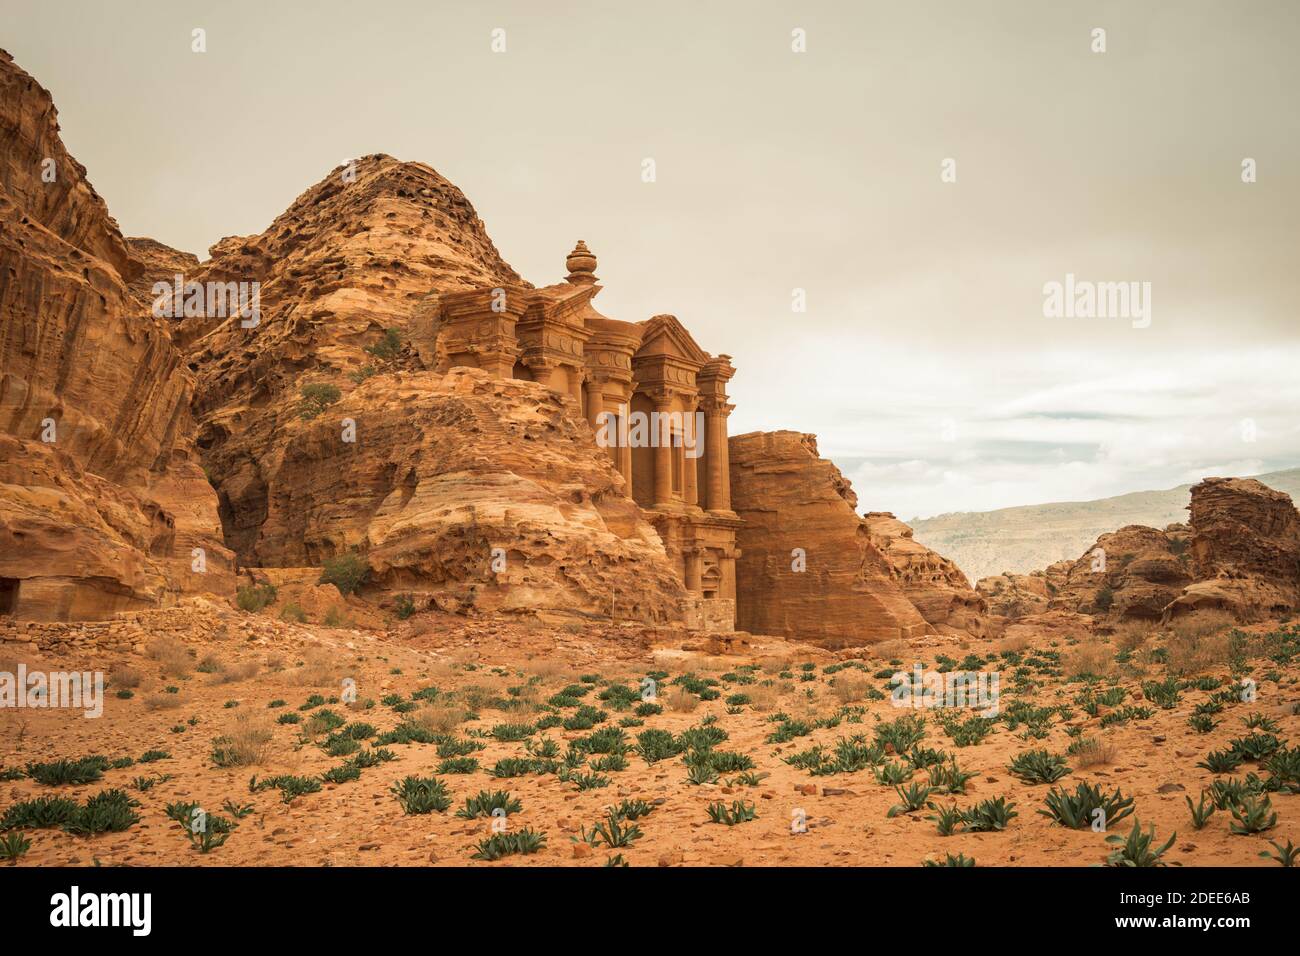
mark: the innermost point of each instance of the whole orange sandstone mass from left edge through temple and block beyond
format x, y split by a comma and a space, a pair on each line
370, 377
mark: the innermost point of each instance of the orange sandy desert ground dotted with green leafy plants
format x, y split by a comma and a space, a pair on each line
181, 697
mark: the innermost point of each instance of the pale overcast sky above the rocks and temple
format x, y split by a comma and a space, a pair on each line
924, 361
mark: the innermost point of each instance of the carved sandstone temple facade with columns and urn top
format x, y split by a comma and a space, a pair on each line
657, 403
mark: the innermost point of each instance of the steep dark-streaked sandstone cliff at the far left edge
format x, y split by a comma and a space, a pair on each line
101, 499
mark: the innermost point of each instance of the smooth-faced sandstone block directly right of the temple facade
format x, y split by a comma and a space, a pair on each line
811, 568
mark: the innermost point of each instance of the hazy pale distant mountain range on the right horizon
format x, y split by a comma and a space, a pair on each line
1033, 537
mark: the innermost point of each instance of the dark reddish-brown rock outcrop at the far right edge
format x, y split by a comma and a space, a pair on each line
1245, 550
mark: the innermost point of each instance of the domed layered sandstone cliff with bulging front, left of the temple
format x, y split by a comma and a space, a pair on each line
439, 469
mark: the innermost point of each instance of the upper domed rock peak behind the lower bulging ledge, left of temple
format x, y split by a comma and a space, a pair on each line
352, 258
